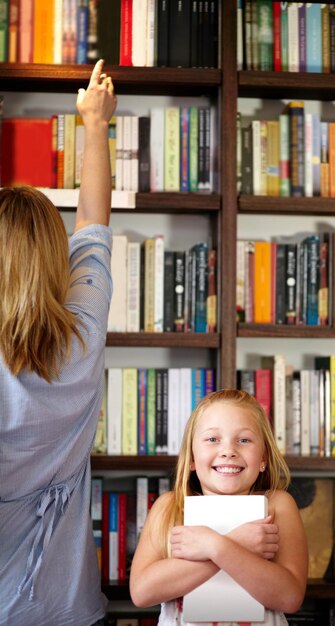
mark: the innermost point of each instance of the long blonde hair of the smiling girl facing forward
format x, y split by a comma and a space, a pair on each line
275, 476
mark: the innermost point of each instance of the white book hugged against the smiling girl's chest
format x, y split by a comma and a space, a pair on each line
221, 598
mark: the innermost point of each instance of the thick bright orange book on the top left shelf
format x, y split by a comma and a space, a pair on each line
43, 31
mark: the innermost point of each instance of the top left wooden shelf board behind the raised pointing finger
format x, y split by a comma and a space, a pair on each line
131, 80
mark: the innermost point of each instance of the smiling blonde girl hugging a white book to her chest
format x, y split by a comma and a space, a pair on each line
229, 449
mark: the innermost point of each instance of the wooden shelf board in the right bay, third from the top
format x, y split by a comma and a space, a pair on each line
285, 330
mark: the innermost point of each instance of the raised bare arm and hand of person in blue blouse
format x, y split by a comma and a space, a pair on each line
96, 105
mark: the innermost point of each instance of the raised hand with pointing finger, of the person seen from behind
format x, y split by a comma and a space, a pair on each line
97, 102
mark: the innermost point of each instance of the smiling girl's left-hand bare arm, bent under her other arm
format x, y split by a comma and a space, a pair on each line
155, 579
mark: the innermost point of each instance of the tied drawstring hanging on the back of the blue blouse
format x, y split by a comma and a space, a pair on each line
52, 504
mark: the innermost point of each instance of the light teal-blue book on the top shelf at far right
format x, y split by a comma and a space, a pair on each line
314, 37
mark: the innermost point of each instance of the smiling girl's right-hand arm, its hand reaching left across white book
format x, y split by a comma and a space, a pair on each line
279, 584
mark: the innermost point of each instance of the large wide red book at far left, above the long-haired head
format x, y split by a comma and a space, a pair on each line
27, 144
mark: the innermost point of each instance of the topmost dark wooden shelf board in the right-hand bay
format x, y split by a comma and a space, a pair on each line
286, 85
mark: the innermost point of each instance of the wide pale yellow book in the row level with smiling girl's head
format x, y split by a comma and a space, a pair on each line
129, 410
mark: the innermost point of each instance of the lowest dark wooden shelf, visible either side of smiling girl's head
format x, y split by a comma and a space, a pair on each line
167, 463
